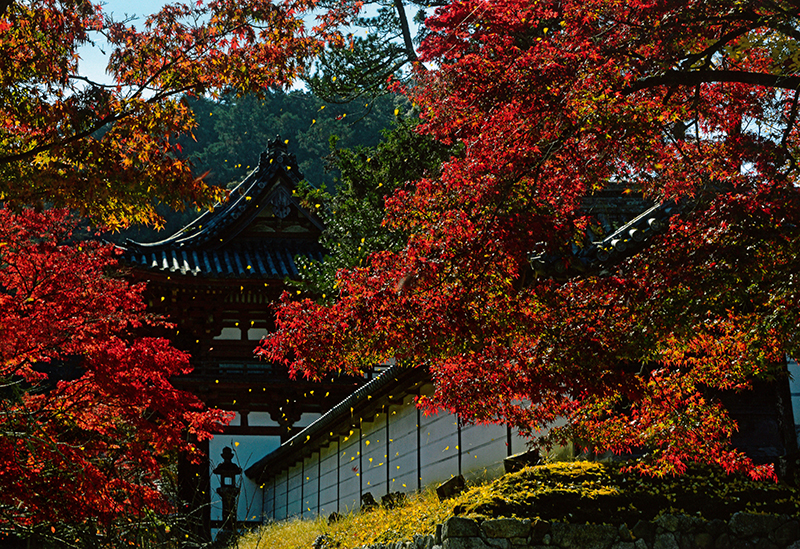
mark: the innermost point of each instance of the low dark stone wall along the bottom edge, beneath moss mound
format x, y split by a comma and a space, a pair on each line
742, 531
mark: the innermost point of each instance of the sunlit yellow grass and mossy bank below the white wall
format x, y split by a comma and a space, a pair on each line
569, 491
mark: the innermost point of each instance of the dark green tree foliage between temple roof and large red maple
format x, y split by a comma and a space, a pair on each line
354, 214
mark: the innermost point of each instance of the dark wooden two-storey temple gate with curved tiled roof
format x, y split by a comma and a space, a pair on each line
215, 280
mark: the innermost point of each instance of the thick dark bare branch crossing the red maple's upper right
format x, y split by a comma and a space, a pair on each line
694, 78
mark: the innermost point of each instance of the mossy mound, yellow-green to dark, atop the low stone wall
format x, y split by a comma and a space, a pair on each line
602, 492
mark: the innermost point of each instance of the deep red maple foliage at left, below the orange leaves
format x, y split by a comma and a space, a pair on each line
88, 415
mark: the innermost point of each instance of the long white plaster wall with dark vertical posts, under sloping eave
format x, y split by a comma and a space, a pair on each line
360, 461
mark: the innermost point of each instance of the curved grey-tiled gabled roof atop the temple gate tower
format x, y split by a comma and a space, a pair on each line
255, 234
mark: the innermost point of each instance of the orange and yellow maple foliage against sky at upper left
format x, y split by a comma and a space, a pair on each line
108, 149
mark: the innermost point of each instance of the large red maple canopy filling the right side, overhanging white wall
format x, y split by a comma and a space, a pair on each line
691, 104
